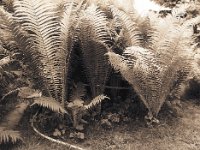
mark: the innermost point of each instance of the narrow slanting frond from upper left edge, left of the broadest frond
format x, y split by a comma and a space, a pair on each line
20, 38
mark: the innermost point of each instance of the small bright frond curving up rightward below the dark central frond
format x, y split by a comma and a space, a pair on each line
97, 100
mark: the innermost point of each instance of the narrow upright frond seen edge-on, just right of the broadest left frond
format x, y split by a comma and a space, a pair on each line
69, 23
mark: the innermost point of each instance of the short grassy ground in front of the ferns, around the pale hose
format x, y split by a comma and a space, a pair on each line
173, 133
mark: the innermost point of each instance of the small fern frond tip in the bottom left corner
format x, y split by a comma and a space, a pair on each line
9, 136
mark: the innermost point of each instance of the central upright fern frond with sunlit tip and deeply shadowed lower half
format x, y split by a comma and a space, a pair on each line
94, 40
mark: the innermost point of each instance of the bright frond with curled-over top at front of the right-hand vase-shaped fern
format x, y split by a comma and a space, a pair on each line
142, 74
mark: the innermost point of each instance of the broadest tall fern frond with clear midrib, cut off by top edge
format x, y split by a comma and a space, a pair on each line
39, 19
